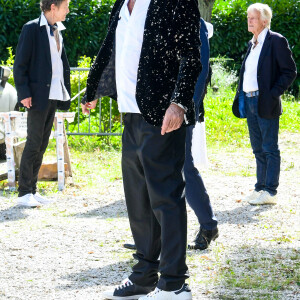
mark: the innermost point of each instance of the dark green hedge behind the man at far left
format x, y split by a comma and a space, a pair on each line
86, 25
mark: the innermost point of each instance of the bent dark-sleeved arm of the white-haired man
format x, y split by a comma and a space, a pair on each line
286, 65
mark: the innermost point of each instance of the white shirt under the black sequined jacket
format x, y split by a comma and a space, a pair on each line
129, 40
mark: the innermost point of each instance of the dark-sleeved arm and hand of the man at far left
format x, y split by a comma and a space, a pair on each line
21, 65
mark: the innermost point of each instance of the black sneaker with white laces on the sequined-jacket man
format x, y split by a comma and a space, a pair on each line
127, 290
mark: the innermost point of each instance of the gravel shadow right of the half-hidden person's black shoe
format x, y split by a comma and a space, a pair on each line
241, 215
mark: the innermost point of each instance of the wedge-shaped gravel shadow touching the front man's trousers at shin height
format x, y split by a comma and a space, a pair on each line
113, 210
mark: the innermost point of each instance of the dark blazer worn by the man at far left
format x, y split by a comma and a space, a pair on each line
33, 68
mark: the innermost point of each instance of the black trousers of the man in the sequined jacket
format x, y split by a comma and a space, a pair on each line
154, 190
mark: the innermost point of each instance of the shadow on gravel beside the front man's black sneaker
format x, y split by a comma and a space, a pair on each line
108, 275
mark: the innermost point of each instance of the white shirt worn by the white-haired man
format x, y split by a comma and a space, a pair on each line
250, 83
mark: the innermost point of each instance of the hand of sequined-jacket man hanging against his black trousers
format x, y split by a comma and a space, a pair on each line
172, 119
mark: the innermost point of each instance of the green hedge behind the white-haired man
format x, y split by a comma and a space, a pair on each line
231, 35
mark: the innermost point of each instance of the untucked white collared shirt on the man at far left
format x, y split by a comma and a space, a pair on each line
58, 90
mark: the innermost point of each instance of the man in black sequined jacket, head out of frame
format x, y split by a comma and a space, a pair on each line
149, 62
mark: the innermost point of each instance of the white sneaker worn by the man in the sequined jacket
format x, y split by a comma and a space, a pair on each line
183, 294
